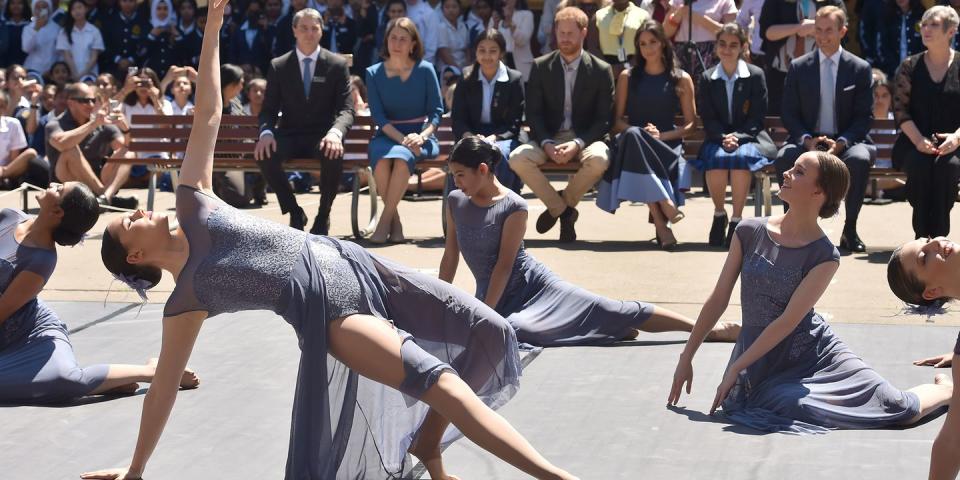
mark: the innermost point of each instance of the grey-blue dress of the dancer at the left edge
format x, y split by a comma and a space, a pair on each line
37, 364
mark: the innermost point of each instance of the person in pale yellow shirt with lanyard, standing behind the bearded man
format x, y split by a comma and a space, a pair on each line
617, 26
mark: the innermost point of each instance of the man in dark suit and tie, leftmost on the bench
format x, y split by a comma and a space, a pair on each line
311, 86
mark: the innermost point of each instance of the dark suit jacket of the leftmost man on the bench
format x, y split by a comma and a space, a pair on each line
329, 106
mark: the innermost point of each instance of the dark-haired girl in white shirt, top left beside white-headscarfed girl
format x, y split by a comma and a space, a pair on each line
80, 42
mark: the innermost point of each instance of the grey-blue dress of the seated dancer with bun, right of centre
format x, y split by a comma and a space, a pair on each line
811, 381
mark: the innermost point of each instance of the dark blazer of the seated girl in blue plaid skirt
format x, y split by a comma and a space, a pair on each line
749, 109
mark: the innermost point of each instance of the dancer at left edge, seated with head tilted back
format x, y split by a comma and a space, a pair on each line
37, 364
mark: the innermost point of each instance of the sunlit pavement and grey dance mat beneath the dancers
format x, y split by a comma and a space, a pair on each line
597, 411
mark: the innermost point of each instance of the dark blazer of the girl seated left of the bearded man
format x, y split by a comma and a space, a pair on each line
506, 110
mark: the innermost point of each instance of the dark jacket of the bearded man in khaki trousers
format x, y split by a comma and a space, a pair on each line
592, 98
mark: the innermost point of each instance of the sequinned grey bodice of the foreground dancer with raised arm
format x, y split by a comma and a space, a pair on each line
241, 262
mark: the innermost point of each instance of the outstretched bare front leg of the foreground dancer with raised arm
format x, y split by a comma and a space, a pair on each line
372, 348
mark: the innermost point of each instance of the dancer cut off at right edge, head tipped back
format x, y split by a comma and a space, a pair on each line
925, 274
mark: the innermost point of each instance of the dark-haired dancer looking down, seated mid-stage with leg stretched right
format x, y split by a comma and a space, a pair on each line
489, 222
